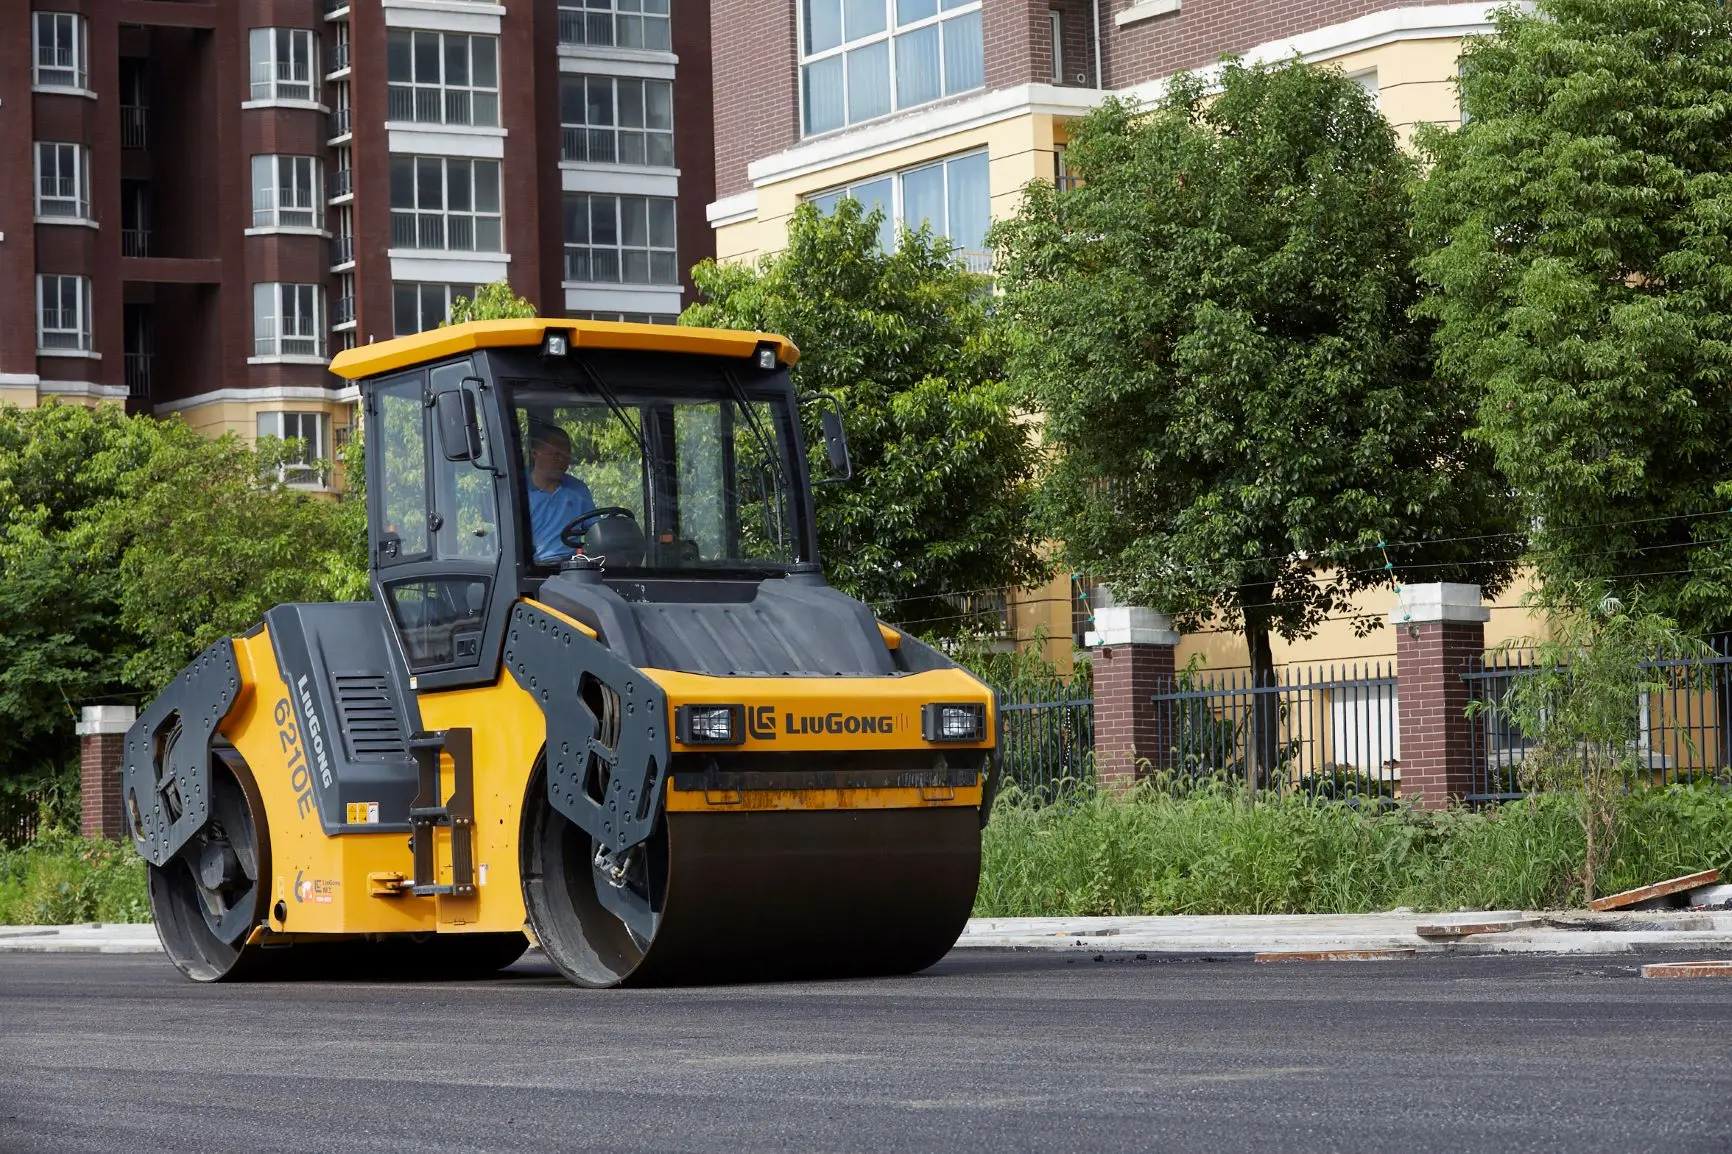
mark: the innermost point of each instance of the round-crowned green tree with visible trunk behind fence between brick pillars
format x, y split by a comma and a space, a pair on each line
1241, 413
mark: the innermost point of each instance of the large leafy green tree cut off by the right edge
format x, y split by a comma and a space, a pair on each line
1580, 280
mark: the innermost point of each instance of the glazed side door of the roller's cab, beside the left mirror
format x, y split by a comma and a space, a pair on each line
441, 547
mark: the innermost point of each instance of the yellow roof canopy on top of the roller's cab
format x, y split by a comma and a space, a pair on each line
460, 339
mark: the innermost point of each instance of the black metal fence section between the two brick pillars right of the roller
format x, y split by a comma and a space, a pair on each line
1333, 732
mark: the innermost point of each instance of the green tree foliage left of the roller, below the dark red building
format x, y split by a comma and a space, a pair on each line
131, 543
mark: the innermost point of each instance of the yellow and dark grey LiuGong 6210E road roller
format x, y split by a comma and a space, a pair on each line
602, 699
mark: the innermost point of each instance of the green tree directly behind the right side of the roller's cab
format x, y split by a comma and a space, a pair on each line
943, 465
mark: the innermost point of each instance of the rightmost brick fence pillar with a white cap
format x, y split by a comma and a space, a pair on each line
1440, 628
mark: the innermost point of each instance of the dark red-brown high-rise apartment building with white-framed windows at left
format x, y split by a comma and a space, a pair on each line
205, 200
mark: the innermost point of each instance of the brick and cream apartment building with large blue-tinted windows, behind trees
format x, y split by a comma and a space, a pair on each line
945, 110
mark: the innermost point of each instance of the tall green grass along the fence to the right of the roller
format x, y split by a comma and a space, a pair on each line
1206, 852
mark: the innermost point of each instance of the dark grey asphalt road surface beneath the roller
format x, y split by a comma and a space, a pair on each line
986, 1053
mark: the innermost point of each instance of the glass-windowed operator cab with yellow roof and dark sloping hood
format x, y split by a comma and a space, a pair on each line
647, 481
